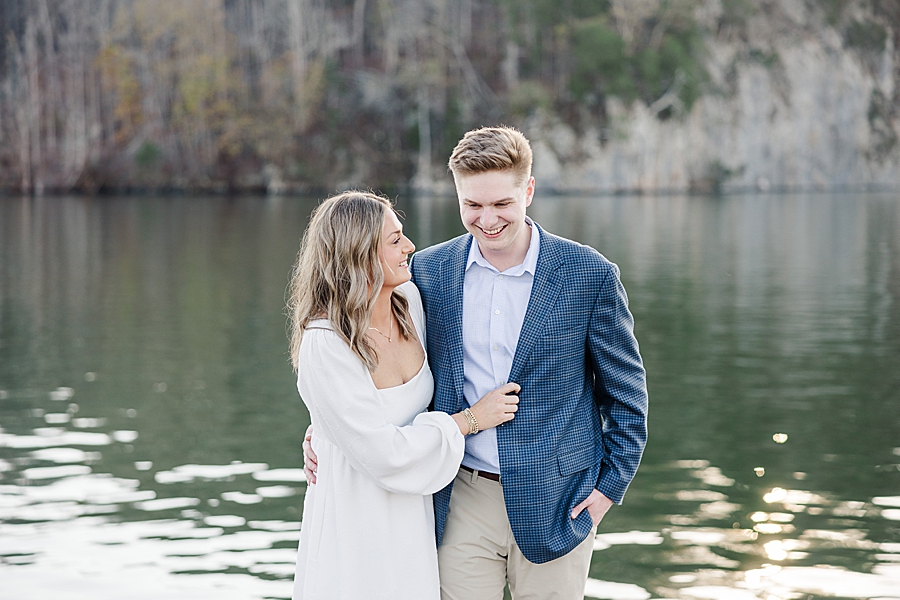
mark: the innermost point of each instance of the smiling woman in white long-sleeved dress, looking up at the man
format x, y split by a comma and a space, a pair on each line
357, 344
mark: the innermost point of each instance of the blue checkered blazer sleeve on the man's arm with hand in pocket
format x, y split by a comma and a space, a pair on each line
620, 387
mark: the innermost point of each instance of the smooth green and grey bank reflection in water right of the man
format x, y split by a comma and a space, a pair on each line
759, 316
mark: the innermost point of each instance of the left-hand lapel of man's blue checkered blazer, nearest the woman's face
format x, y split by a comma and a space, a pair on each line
452, 273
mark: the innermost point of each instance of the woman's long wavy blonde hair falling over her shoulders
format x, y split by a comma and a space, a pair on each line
338, 273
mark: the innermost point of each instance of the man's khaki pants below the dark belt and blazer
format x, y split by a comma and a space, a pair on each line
478, 553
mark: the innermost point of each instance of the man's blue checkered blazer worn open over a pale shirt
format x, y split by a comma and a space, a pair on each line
582, 418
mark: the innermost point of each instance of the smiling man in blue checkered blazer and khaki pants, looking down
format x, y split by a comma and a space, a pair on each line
510, 302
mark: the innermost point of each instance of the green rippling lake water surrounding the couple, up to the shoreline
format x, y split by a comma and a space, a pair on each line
150, 426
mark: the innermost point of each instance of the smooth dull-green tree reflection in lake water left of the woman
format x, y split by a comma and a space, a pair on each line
175, 304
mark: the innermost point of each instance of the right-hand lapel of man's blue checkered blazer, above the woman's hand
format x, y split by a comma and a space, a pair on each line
544, 291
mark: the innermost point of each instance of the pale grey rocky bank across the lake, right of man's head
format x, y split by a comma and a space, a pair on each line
795, 103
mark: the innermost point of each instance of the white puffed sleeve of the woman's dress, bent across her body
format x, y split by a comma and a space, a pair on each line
420, 458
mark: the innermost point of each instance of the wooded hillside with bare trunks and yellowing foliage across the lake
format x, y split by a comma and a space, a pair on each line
294, 95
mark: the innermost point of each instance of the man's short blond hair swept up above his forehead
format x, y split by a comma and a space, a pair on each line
492, 149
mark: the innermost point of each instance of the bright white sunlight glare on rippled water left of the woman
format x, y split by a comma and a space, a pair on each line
53, 530
